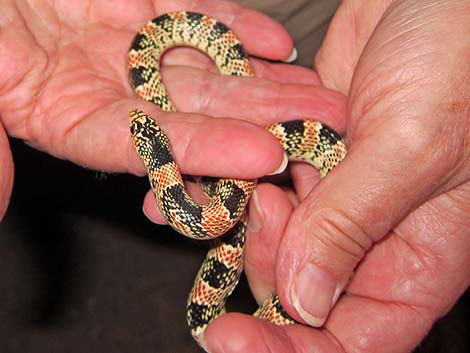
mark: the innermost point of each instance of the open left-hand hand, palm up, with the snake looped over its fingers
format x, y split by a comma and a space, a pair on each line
64, 88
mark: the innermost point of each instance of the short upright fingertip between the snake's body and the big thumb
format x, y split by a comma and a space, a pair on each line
269, 211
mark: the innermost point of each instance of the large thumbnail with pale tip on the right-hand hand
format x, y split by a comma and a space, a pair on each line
312, 294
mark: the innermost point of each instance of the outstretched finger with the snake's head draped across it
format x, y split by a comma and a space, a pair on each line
102, 140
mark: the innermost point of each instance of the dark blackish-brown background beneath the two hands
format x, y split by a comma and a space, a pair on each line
82, 270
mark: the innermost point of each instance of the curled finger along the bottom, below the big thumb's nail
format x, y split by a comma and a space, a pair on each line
400, 280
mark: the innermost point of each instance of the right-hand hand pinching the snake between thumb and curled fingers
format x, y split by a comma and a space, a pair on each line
390, 225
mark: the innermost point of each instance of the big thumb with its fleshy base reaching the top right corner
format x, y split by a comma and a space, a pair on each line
407, 145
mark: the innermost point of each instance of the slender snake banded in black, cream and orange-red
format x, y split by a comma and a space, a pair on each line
223, 218
